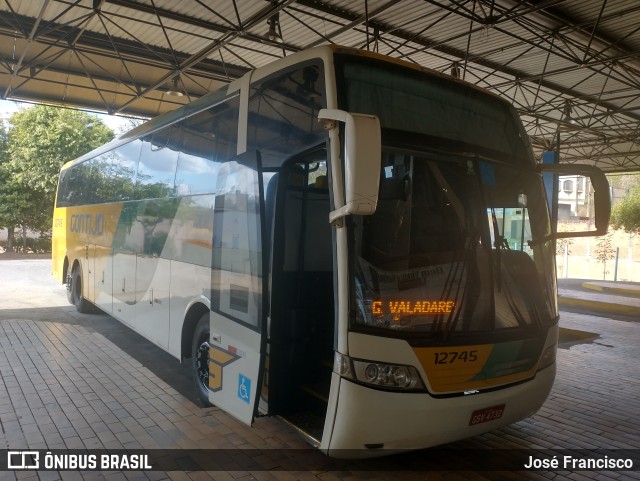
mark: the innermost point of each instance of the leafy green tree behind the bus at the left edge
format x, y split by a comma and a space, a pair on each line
40, 139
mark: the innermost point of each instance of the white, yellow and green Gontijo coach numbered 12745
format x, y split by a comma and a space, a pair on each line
355, 244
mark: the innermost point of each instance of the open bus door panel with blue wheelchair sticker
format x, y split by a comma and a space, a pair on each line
238, 314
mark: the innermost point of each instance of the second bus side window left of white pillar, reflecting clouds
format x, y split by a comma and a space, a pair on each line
157, 166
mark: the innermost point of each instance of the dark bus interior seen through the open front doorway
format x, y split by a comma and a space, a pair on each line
301, 331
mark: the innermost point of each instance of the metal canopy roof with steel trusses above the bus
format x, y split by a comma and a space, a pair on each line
571, 67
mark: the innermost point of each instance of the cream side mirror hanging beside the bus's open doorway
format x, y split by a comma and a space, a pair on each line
362, 160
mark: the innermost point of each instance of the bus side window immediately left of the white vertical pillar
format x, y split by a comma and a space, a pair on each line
208, 139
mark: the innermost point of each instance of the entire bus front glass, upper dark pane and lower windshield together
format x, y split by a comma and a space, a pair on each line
457, 244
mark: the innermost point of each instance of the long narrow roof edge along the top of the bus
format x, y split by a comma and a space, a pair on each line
217, 96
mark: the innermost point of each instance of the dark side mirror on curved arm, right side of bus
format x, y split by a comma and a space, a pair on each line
601, 201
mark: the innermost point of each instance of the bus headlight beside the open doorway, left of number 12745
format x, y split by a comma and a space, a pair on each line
387, 376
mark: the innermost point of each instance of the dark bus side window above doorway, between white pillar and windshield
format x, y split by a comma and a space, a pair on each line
283, 113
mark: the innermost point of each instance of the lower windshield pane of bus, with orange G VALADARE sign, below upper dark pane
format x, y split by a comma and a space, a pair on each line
455, 247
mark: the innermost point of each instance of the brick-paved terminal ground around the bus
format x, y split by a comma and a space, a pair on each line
85, 381
